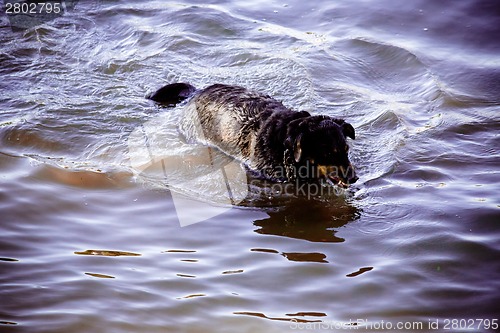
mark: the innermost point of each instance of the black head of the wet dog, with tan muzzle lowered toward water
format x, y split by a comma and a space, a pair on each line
320, 149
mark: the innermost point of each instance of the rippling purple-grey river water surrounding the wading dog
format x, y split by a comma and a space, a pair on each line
112, 222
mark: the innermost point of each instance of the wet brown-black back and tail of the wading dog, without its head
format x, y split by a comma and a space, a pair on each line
228, 117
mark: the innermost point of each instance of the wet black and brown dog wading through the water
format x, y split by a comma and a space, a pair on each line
273, 141
